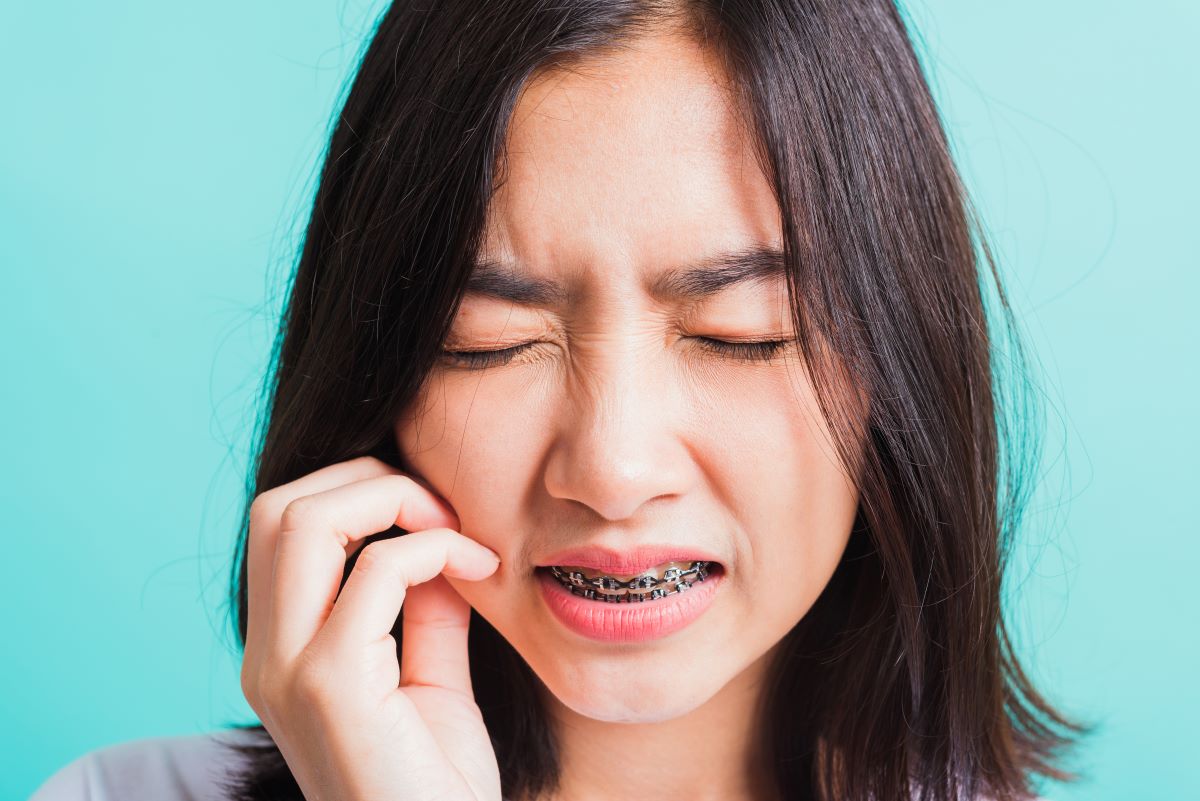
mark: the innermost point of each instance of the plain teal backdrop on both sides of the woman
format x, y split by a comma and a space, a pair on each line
155, 162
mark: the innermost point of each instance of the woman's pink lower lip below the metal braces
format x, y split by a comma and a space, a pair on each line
629, 623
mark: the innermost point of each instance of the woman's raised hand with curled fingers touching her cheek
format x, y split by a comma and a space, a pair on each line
321, 667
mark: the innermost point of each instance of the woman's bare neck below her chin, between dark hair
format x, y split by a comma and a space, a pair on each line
715, 752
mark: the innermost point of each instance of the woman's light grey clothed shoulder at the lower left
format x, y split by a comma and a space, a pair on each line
191, 768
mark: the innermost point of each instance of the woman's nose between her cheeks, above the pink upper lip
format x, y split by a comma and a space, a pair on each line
623, 438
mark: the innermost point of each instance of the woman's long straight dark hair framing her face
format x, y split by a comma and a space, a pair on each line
902, 682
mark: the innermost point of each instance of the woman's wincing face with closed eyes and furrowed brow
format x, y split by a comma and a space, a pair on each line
617, 426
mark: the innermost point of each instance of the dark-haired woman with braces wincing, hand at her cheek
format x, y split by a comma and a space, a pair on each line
634, 430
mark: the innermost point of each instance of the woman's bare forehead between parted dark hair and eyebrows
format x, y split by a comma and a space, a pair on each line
628, 164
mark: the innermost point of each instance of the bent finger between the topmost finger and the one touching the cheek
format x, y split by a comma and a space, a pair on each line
310, 553
